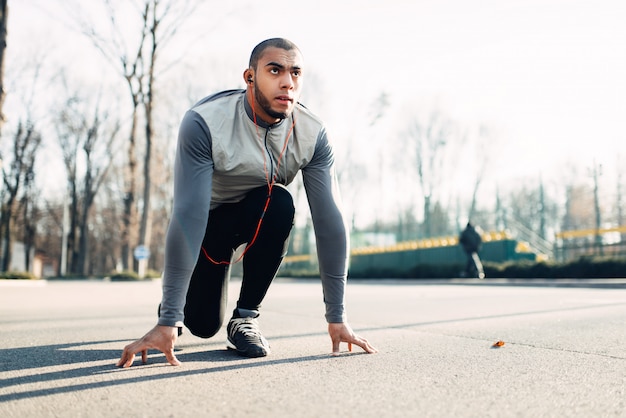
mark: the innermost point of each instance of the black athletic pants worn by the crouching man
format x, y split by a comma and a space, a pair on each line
229, 226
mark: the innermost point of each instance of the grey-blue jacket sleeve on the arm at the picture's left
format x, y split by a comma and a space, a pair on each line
193, 176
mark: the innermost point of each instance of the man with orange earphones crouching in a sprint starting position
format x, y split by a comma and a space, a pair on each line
237, 150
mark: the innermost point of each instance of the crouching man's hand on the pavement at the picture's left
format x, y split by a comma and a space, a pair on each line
160, 338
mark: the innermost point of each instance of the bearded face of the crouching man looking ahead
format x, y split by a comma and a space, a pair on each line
277, 83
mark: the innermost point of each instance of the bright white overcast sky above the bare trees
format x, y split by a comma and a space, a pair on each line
548, 76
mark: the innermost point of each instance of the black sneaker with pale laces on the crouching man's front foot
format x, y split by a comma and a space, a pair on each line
245, 337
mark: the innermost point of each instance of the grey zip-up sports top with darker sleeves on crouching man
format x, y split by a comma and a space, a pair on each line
219, 158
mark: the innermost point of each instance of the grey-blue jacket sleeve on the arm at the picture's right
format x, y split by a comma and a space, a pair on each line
330, 231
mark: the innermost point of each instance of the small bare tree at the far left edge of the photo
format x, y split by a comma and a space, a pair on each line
20, 172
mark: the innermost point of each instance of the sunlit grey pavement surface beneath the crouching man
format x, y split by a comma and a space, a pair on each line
564, 353
